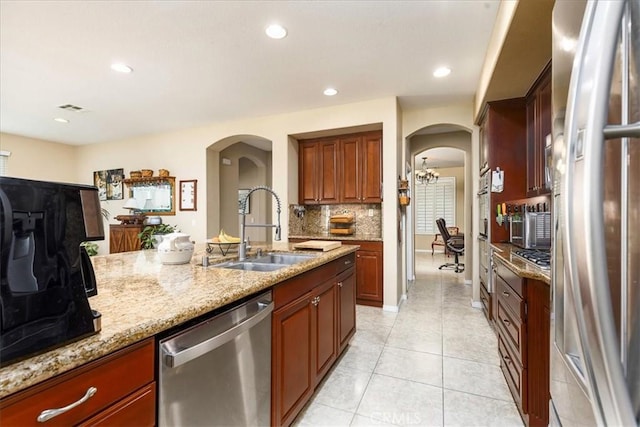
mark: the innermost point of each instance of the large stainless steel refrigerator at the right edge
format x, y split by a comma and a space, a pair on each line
595, 328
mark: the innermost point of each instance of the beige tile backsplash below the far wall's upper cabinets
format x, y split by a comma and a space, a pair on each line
315, 220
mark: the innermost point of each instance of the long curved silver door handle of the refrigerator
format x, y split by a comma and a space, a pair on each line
583, 224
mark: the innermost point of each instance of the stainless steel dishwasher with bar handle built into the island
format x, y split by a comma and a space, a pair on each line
218, 372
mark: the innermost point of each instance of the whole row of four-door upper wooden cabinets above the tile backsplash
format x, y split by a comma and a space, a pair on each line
341, 169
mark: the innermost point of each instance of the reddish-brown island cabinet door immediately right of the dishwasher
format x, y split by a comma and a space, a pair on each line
293, 363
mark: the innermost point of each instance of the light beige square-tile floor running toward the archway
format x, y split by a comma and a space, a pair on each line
434, 363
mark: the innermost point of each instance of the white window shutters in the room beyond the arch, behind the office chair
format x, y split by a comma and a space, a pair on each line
435, 201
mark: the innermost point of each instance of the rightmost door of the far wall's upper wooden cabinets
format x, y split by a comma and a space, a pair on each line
371, 161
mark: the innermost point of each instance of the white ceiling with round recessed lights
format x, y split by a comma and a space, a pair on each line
201, 62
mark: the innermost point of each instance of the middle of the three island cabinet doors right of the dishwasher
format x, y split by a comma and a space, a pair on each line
324, 327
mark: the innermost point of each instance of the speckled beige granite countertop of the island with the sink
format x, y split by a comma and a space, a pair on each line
139, 297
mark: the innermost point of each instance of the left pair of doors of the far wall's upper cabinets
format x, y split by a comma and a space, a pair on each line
318, 171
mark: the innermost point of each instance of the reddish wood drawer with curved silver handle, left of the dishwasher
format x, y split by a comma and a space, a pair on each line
114, 377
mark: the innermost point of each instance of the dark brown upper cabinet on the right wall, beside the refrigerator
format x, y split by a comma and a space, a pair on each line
538, 130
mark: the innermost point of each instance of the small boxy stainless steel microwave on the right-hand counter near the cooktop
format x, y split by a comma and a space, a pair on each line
531, 230
